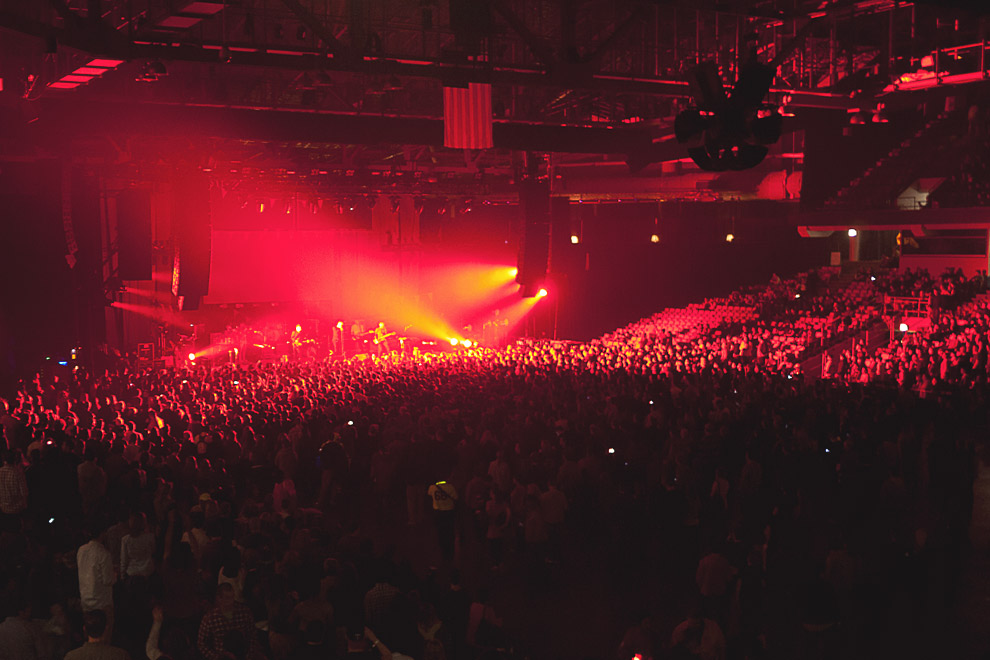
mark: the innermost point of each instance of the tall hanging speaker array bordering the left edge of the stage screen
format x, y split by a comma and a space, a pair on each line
191, 232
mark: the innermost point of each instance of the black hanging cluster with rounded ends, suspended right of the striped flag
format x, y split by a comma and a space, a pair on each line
729, 131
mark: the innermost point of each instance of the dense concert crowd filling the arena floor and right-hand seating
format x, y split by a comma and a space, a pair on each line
410, 506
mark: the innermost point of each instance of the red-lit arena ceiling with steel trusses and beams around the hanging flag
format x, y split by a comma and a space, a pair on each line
342, 85
